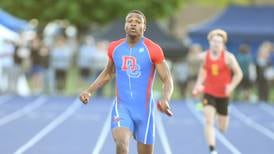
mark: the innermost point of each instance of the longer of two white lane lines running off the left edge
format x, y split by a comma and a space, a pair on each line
21, 112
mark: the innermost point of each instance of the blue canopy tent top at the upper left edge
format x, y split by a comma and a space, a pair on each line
11, 22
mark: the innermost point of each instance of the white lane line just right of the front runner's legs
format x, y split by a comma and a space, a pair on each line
162, 134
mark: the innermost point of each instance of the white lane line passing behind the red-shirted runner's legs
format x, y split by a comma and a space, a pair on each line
219, 135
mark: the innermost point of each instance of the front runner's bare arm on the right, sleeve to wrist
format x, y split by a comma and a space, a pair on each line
165, 76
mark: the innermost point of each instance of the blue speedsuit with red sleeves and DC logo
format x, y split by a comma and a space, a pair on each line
134, 106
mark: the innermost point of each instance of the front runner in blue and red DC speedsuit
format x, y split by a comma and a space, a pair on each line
133, 60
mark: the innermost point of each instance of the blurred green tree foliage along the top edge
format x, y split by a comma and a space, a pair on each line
86, 12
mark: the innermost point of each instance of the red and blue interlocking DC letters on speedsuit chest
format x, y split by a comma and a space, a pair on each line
131, 67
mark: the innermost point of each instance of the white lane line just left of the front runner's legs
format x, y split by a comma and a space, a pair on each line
103, 135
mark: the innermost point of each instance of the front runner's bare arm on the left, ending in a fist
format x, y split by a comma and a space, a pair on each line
102, 79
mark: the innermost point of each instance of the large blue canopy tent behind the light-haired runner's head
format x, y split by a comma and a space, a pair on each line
251, 25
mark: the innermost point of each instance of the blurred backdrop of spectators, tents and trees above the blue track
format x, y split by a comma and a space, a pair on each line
59, 47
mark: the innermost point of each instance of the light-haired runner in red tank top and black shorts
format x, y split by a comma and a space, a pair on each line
219, 75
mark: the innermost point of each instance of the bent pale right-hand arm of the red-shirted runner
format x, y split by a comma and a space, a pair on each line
237, 74
